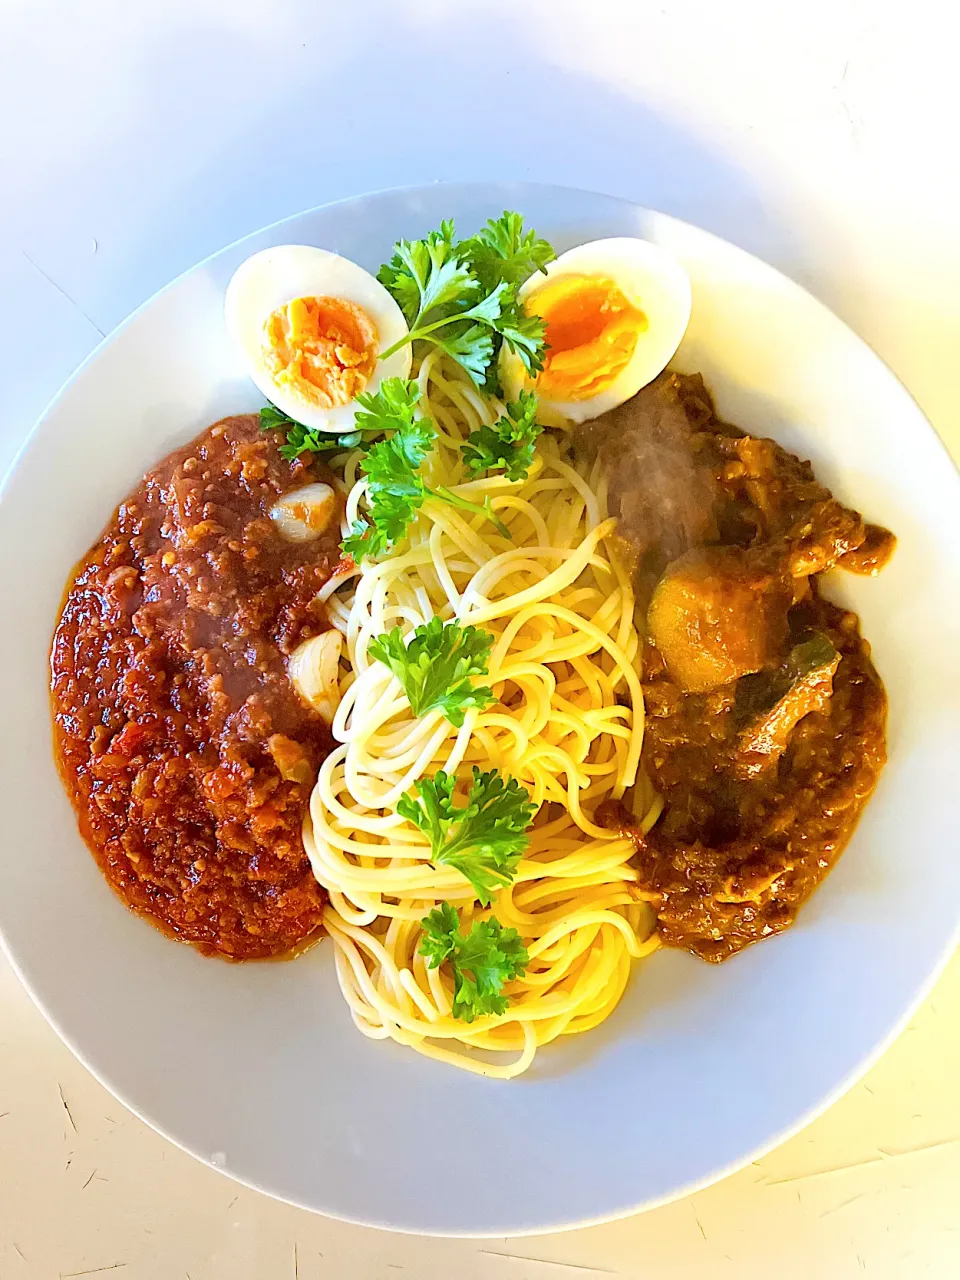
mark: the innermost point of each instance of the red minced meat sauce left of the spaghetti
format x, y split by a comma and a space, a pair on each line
185, 748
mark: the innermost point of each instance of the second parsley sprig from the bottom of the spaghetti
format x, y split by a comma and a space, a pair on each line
483, 839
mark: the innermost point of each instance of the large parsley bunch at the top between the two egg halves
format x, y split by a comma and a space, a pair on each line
463, 296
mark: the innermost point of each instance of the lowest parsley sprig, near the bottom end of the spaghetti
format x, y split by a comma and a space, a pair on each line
483, 961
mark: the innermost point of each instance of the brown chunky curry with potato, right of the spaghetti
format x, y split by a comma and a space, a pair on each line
766, 774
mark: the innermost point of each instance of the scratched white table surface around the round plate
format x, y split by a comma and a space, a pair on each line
138, 139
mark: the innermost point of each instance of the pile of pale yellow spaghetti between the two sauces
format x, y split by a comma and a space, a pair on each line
568, 725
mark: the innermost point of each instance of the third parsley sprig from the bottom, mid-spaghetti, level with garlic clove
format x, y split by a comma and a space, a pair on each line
437, 668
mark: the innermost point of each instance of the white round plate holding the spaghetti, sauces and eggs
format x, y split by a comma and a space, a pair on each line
258, 1068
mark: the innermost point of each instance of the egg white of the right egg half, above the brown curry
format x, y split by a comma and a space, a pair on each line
653, 282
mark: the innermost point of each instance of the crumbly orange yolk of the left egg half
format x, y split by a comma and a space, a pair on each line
324, 350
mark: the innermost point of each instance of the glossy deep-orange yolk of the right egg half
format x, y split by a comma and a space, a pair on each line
592, 333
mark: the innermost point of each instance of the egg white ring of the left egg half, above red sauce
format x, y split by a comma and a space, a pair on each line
277, 276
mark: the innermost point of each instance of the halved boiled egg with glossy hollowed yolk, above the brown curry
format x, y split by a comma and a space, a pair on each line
615, 313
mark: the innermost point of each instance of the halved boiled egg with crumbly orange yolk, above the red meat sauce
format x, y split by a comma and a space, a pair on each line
310, 327
